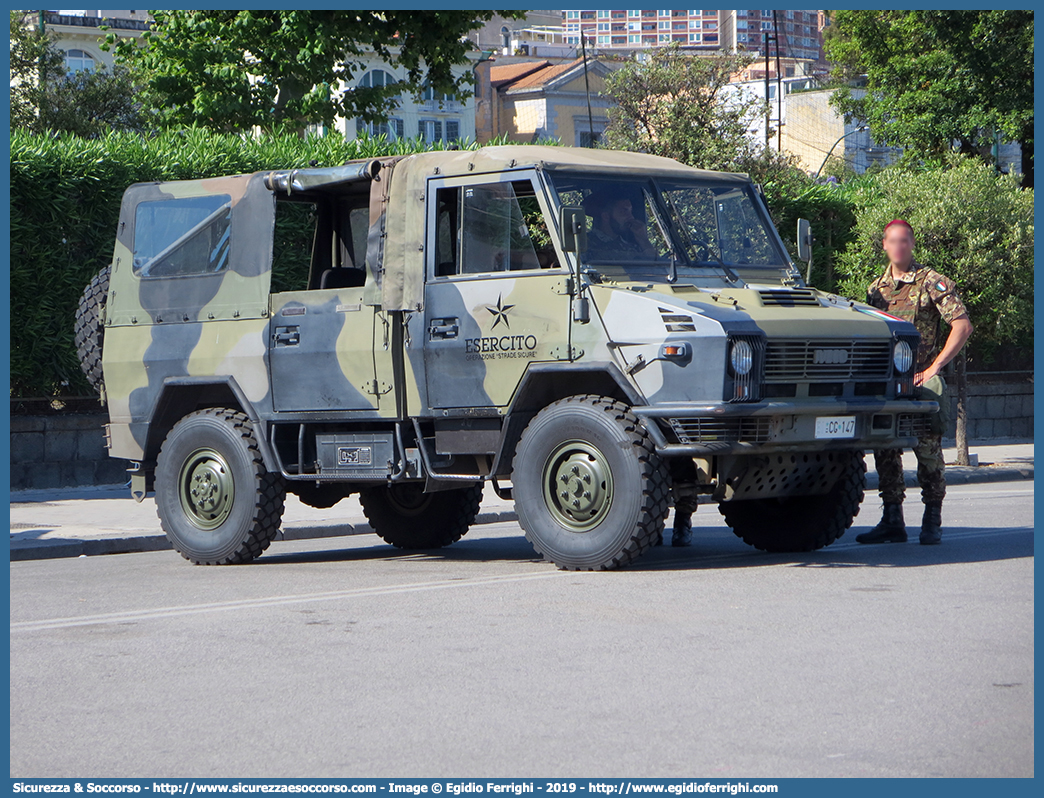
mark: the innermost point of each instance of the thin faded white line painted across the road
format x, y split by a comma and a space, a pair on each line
278, 601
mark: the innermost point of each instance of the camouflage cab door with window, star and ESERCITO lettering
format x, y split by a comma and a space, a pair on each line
496, 297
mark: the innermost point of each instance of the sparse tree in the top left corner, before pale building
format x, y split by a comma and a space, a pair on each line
35, 63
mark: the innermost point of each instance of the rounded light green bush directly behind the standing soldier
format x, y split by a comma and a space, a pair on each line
972, 225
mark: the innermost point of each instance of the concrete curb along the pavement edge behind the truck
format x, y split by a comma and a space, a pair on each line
48, 550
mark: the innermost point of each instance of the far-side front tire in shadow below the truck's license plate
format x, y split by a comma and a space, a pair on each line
802, 524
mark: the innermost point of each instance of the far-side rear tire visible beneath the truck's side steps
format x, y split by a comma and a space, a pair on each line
408, 518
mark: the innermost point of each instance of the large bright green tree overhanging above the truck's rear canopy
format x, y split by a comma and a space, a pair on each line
233, 71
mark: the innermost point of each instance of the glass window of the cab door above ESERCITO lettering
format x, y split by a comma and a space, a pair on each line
494, 227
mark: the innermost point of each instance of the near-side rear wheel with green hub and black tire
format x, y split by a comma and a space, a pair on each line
217, 502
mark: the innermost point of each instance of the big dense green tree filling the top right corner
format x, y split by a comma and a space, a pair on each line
934, 78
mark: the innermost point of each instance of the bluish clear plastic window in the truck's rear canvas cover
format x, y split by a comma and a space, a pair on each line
183, 237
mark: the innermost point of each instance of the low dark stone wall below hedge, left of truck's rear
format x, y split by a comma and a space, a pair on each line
62, 452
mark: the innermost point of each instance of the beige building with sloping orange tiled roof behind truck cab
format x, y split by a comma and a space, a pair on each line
533, 101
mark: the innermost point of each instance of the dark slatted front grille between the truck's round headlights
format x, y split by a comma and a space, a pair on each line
824, 360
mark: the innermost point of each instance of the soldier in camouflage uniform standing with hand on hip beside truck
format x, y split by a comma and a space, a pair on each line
927, 298
